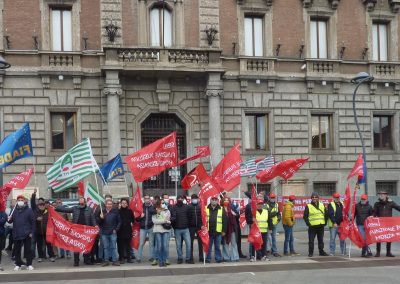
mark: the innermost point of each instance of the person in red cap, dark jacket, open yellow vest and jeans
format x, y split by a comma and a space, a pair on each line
335, 217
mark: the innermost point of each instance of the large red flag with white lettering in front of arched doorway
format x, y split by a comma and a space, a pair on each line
154, 158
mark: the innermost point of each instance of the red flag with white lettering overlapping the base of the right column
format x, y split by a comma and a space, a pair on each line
227, 172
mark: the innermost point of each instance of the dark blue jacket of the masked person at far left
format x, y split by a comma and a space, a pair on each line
24, 222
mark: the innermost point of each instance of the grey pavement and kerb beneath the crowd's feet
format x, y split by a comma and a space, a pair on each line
64, 269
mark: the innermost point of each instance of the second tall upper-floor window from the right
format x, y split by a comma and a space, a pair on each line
318, 39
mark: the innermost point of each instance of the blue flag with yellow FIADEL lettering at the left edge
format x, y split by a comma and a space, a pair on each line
16, 146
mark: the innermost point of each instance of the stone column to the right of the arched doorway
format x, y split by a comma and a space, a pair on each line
214, 92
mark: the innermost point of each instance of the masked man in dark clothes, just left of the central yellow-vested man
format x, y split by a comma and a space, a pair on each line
195, 224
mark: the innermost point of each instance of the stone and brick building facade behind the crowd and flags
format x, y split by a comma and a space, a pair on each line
274, 74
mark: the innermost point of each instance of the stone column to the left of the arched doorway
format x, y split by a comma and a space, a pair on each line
113, 91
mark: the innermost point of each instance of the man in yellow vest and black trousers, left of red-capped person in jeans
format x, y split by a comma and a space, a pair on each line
315, 217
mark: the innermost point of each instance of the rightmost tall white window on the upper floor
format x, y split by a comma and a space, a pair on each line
379, 42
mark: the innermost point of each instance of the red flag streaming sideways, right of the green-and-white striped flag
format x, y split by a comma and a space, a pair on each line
285, 169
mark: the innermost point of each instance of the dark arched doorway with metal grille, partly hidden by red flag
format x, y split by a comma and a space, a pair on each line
156, 126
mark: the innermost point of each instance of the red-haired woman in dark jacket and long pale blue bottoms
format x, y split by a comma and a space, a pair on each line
229, 242
